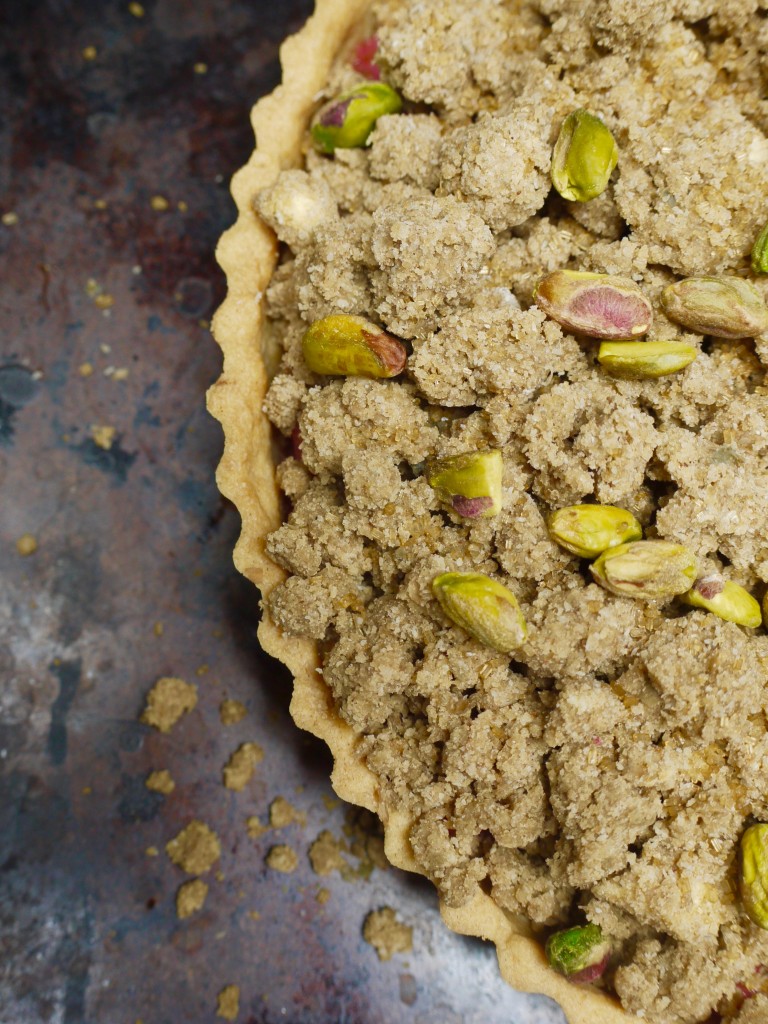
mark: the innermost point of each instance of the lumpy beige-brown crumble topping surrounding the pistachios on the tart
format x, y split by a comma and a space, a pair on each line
607, 771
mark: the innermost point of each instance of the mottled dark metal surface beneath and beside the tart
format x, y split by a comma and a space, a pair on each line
120, 132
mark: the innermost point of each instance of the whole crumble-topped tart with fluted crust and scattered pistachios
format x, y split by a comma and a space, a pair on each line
497, 425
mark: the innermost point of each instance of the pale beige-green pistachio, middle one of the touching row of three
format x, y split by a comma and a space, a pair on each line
647, 570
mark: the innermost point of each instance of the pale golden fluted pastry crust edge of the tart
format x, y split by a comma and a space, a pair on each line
248, 254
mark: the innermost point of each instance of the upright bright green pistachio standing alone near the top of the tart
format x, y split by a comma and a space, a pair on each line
584, 157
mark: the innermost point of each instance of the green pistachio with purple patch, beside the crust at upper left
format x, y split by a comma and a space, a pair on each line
347, 122
